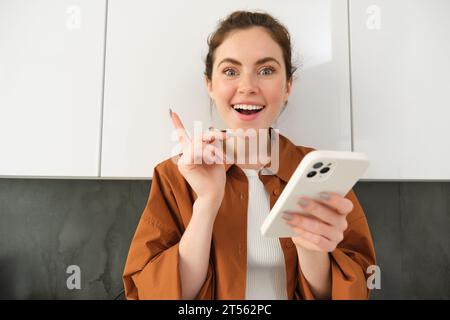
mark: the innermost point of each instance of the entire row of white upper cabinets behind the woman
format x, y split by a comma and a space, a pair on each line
59, 119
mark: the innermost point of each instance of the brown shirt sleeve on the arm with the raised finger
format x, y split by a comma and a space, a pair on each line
152, 266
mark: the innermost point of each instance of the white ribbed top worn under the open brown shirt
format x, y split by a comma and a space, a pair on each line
266, 274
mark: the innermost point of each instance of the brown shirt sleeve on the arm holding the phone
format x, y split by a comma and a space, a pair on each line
350, 260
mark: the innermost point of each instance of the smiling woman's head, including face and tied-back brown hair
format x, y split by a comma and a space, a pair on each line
248, 70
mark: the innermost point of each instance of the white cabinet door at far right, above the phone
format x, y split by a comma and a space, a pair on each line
400, 86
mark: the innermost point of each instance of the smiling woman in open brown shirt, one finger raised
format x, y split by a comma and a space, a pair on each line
198, 237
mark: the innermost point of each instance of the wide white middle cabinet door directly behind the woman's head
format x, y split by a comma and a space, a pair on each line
155, 60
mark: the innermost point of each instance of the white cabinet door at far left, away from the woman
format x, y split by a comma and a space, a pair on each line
51, 69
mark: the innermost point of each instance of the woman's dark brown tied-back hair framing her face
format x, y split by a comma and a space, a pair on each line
240, 20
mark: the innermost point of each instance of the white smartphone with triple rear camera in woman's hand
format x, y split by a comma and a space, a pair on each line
319, 171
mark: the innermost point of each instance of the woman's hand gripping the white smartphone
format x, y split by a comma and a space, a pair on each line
320, 225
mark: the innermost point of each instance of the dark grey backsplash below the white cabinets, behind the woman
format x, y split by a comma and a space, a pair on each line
48, 225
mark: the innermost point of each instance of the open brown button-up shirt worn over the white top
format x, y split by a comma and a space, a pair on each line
152, 266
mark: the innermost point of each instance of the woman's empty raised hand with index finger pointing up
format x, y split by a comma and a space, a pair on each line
202, 162
